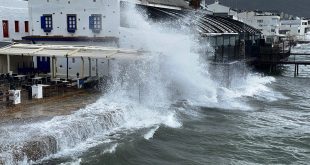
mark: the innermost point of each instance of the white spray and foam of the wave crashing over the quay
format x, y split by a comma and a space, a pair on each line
140, 95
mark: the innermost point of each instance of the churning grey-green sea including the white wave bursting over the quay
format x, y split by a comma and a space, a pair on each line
166, 108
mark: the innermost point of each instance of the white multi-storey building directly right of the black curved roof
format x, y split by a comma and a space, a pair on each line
268, 23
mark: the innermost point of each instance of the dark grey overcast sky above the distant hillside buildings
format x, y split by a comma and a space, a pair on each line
293, 7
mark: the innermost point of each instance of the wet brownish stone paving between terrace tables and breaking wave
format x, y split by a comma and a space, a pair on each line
34, 110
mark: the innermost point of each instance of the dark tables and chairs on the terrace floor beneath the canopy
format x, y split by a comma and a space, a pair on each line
39, 86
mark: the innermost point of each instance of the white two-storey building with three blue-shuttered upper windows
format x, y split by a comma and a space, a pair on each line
78, 22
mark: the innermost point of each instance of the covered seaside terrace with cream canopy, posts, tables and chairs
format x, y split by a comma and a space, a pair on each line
31, 71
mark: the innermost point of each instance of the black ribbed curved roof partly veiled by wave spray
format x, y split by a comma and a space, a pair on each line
205, 24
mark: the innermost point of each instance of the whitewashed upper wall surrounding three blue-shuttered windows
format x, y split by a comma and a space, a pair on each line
83, 9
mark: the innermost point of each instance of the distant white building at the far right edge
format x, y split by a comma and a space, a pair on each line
295, 28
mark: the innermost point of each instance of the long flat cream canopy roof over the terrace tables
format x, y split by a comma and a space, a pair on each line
70, 51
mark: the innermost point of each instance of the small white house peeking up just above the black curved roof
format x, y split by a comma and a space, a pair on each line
218, 9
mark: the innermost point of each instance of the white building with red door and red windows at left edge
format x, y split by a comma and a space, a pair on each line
14, 20
